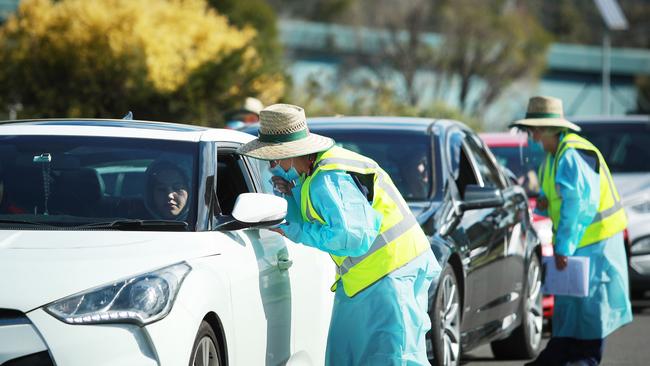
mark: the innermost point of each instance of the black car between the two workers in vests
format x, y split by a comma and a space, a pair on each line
479, 226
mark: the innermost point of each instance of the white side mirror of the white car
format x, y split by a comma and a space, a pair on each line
259, 209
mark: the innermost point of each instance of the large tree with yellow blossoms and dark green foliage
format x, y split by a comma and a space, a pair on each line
172, 60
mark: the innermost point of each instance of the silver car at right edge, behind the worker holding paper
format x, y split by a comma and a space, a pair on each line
624, 142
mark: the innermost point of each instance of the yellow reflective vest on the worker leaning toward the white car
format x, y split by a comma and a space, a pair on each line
400, 238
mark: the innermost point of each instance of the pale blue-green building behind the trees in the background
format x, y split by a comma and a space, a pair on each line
316, 51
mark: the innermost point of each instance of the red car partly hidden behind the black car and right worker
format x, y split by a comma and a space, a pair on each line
513, 152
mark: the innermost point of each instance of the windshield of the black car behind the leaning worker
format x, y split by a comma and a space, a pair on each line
404, 155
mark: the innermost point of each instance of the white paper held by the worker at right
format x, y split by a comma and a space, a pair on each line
572, 281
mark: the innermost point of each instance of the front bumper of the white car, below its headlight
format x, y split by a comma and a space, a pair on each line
167, 342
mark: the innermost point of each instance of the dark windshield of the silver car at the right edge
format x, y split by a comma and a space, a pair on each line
624, 146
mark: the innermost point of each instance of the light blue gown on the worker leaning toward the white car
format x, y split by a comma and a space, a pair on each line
386, 323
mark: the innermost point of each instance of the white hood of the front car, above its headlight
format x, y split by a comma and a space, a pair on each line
38, 267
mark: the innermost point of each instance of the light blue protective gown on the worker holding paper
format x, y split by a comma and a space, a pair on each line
608, 306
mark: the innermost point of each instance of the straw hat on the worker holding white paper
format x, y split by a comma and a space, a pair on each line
545, 112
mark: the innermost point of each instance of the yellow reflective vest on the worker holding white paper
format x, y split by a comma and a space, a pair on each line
610, 218
